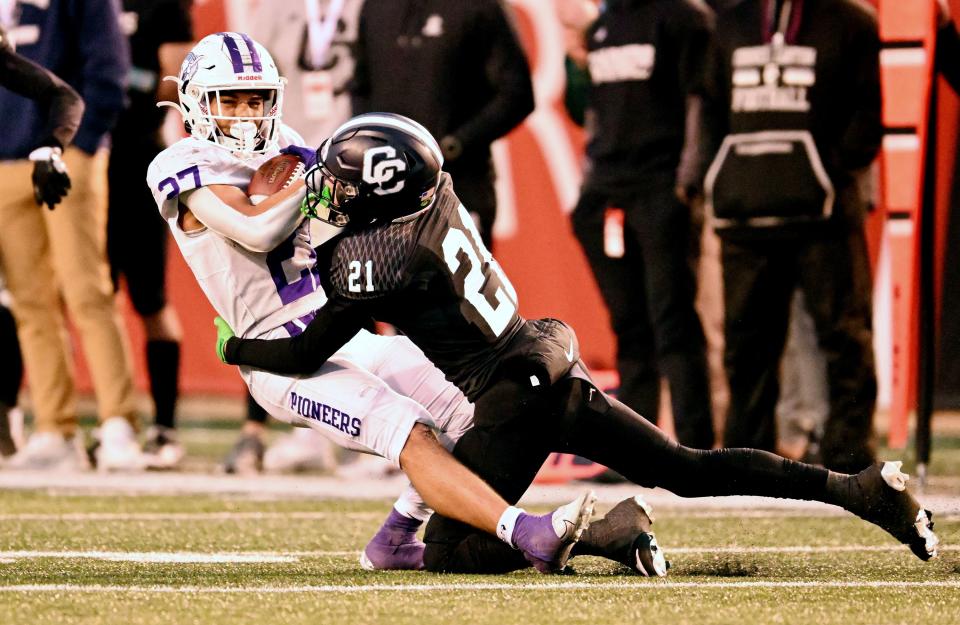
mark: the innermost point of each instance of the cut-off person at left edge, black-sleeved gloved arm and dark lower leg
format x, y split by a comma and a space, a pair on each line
62, 108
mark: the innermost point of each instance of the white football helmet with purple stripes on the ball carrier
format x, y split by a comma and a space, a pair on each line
229, 62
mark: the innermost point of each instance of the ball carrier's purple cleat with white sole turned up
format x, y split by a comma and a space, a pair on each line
546, 541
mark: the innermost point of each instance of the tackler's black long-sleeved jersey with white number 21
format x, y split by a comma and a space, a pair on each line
431, 277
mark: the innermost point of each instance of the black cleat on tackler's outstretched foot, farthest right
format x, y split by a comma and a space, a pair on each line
884, 501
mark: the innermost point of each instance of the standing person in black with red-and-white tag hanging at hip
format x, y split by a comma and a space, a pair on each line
642, 62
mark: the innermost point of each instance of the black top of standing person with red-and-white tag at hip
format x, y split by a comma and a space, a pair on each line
646, 57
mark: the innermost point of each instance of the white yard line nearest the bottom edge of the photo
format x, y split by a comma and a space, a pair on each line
445, 588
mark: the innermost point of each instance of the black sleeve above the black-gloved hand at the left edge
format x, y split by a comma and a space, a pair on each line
63, 105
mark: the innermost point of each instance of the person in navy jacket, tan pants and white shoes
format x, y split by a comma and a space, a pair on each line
49, 255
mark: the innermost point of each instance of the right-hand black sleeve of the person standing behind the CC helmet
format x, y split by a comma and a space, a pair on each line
508, 72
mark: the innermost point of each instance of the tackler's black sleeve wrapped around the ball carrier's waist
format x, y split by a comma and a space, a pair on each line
335, 324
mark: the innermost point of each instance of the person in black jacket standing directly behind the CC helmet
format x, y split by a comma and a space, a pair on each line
456, 67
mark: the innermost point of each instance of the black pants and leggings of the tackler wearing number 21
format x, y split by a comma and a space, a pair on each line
516, 427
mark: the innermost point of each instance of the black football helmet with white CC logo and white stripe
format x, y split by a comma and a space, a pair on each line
376, 168
